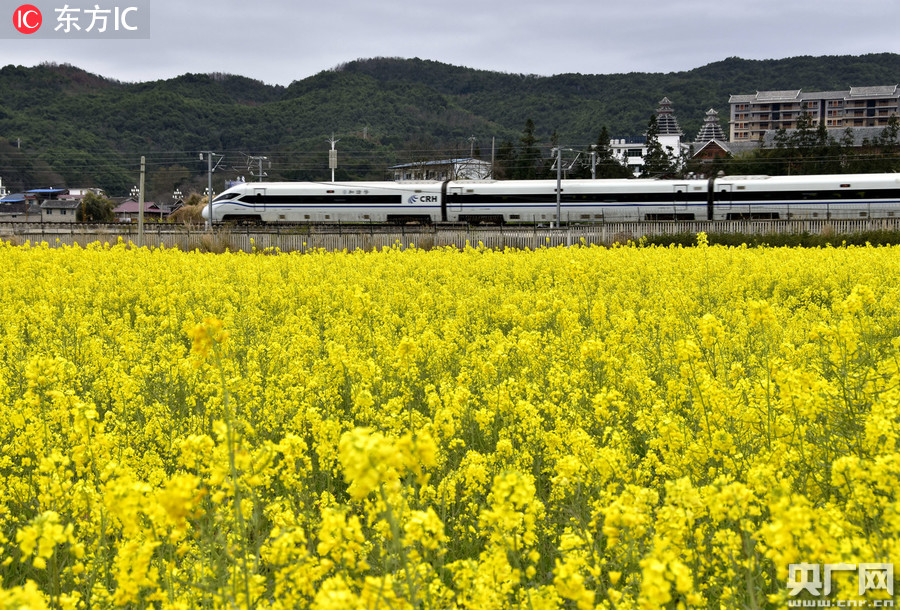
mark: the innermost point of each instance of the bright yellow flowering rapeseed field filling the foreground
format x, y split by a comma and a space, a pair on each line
560, 428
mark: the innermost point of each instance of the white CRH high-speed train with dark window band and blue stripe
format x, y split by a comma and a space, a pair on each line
579, 201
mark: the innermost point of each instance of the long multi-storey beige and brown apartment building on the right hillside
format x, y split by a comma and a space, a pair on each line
753, 115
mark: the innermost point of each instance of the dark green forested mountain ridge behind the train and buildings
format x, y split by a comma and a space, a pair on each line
62, 125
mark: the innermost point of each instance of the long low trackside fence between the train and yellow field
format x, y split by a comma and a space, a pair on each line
304, 238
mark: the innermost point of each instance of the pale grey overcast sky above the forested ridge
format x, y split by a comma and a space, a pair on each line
280, 41
